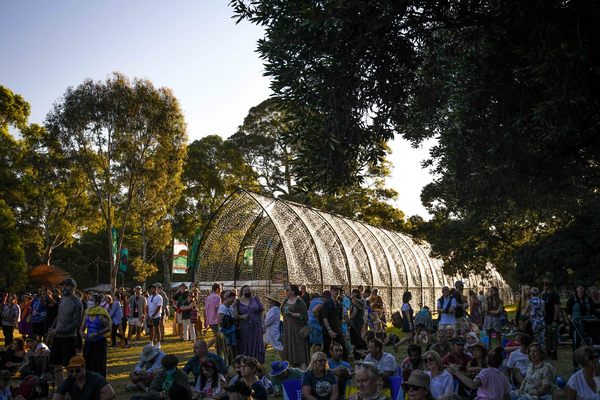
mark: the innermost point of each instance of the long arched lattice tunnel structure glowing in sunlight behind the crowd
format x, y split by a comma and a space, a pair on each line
269, 242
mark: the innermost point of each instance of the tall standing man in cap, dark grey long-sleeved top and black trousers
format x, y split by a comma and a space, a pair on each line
63, 332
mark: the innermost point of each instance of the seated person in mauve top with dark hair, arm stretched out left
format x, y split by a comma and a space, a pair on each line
490, 382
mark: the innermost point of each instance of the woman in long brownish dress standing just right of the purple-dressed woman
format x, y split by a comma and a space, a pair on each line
295, 316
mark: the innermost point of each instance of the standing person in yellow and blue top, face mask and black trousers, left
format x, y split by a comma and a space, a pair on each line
95, 325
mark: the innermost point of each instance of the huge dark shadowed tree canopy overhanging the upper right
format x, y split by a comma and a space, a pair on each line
509, 89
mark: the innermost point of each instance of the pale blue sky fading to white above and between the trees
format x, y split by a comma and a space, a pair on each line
191, 46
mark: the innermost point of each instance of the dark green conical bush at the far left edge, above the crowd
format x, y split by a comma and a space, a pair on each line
13, 270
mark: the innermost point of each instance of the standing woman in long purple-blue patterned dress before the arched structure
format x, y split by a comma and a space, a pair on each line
249, 311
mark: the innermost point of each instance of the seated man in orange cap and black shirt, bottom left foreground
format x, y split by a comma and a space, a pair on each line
82, 384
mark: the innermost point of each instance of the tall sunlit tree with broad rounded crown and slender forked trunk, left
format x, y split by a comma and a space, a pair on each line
121, 132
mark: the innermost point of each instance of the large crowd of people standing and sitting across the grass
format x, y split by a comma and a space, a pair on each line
331, 343
